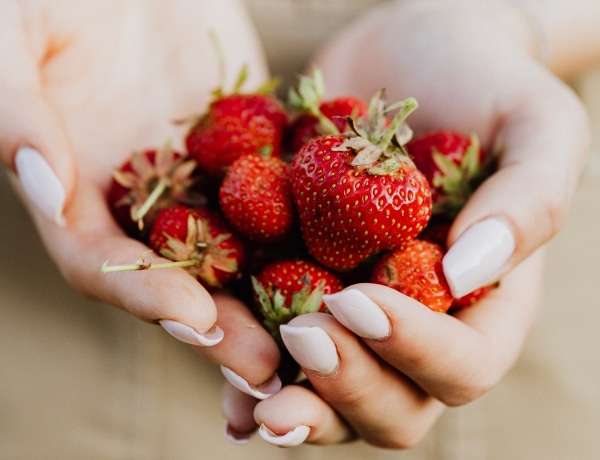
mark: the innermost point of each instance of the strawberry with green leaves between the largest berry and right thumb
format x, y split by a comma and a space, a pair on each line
454, 164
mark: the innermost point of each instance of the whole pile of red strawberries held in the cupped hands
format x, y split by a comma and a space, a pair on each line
283, 202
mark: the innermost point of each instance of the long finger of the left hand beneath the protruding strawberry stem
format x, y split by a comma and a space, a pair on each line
169, 297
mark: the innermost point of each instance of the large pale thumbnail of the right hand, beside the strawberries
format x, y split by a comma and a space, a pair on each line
477, 257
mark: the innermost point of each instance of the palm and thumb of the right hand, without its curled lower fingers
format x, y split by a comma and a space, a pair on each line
474, 68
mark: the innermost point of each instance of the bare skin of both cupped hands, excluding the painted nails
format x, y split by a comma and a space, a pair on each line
85, 108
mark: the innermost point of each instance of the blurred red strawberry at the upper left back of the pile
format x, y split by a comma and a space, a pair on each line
237, 124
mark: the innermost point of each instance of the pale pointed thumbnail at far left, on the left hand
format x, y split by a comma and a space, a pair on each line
40, 184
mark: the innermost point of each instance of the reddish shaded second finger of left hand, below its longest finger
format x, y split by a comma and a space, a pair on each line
248, 355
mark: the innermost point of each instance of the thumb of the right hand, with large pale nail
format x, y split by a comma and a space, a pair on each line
544, 137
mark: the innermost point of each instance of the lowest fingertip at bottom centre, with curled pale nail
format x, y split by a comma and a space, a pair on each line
296, 415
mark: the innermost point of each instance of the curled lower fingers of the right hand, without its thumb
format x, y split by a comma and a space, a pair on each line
384, 367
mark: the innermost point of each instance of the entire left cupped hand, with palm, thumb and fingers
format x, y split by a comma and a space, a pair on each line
83, 85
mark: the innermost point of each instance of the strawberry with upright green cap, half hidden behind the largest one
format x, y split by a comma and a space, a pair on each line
316, 116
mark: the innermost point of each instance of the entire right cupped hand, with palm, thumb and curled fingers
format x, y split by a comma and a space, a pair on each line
469, 75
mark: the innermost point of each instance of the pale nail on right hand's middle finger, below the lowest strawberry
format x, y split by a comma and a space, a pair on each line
311, 347
